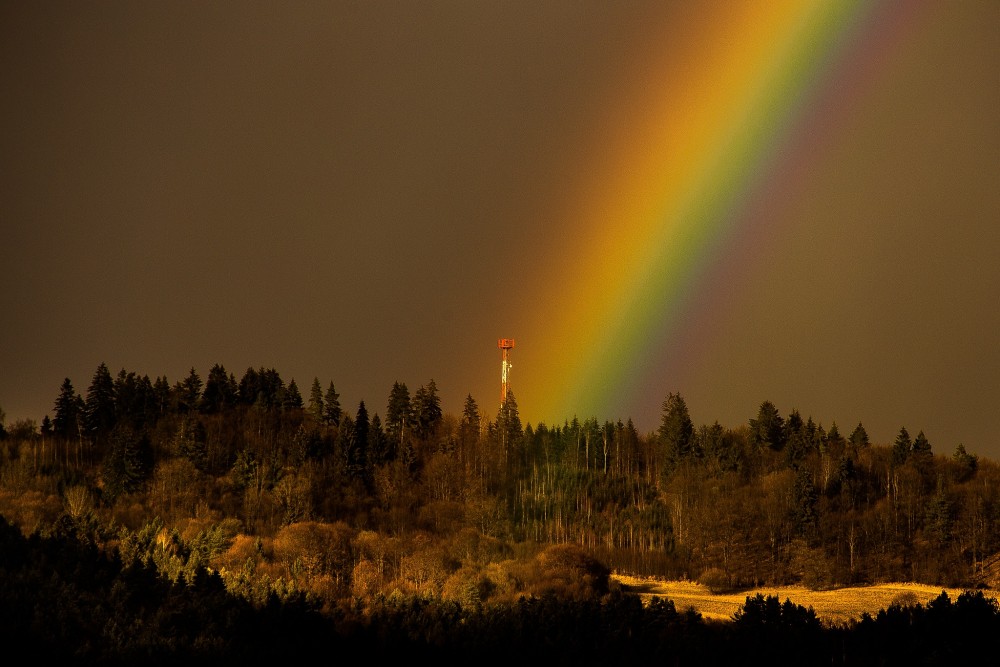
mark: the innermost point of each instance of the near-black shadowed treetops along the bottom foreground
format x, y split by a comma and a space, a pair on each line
64, 601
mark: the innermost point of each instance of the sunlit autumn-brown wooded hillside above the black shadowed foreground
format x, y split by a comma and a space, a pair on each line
283, 499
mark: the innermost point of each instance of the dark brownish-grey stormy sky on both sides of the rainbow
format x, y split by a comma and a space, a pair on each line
348, 191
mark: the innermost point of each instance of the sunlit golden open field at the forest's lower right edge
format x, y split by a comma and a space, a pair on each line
833, 606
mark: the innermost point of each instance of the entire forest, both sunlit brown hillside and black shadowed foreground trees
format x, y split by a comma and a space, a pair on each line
208, 516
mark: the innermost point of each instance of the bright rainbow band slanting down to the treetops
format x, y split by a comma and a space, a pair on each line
738, 105
